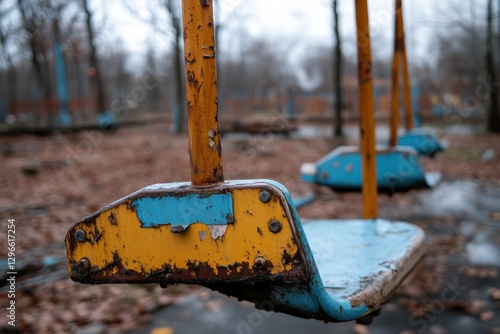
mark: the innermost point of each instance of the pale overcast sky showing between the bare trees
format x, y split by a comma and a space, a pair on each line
303, 23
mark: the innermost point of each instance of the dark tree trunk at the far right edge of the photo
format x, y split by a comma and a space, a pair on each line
493, 123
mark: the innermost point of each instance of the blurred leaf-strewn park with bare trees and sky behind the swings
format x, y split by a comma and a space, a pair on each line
92, 108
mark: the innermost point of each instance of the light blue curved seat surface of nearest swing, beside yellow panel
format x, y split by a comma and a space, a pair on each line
354, 264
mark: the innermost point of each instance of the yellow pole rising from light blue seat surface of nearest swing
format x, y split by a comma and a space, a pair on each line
366, 111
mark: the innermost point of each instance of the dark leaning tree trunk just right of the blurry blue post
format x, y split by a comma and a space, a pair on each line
93, 60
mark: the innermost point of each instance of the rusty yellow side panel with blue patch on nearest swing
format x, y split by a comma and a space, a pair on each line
133, 239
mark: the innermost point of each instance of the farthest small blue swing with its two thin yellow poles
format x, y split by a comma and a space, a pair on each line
423, 140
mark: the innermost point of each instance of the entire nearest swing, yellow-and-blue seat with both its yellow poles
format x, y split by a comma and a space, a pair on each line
244, 238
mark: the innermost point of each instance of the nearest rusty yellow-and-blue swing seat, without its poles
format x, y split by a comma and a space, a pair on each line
245, 239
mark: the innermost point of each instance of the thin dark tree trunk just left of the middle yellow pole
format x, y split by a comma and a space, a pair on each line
337, 78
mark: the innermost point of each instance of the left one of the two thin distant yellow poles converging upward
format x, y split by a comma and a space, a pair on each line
393, 140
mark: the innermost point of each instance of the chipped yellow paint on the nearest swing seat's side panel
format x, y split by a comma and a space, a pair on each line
146, 250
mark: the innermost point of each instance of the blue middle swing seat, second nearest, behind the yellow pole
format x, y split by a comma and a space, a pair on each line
398, 170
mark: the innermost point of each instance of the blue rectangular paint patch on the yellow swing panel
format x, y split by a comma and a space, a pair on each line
184, 210
